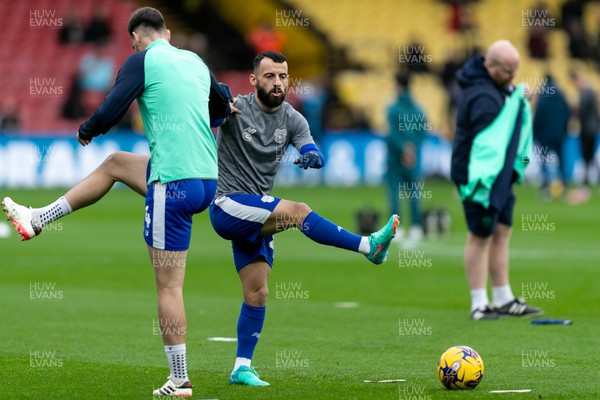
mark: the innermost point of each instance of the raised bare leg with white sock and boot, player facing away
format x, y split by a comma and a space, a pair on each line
118, 167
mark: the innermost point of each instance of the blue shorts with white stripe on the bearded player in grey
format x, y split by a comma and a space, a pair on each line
239, 218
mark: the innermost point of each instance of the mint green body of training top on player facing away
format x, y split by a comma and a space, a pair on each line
174, 109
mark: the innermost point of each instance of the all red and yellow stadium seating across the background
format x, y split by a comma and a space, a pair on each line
371, 34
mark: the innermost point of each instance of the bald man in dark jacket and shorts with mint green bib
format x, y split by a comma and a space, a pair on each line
492, 116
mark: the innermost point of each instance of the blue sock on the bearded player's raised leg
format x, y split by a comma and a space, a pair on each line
326, 232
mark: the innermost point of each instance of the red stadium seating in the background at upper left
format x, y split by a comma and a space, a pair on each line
28, 56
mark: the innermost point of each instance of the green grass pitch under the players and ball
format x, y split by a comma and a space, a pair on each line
90, 333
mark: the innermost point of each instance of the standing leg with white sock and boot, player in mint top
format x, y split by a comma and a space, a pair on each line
169, 268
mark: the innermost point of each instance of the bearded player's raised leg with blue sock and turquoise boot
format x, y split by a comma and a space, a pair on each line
289, 214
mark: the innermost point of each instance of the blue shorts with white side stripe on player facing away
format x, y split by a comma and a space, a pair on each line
169, 210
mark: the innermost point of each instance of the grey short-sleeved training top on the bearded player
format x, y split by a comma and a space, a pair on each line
250, 145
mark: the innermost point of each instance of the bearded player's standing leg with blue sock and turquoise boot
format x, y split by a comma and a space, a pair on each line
254, 278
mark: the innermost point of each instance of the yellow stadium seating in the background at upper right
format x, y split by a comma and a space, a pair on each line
374, 33
